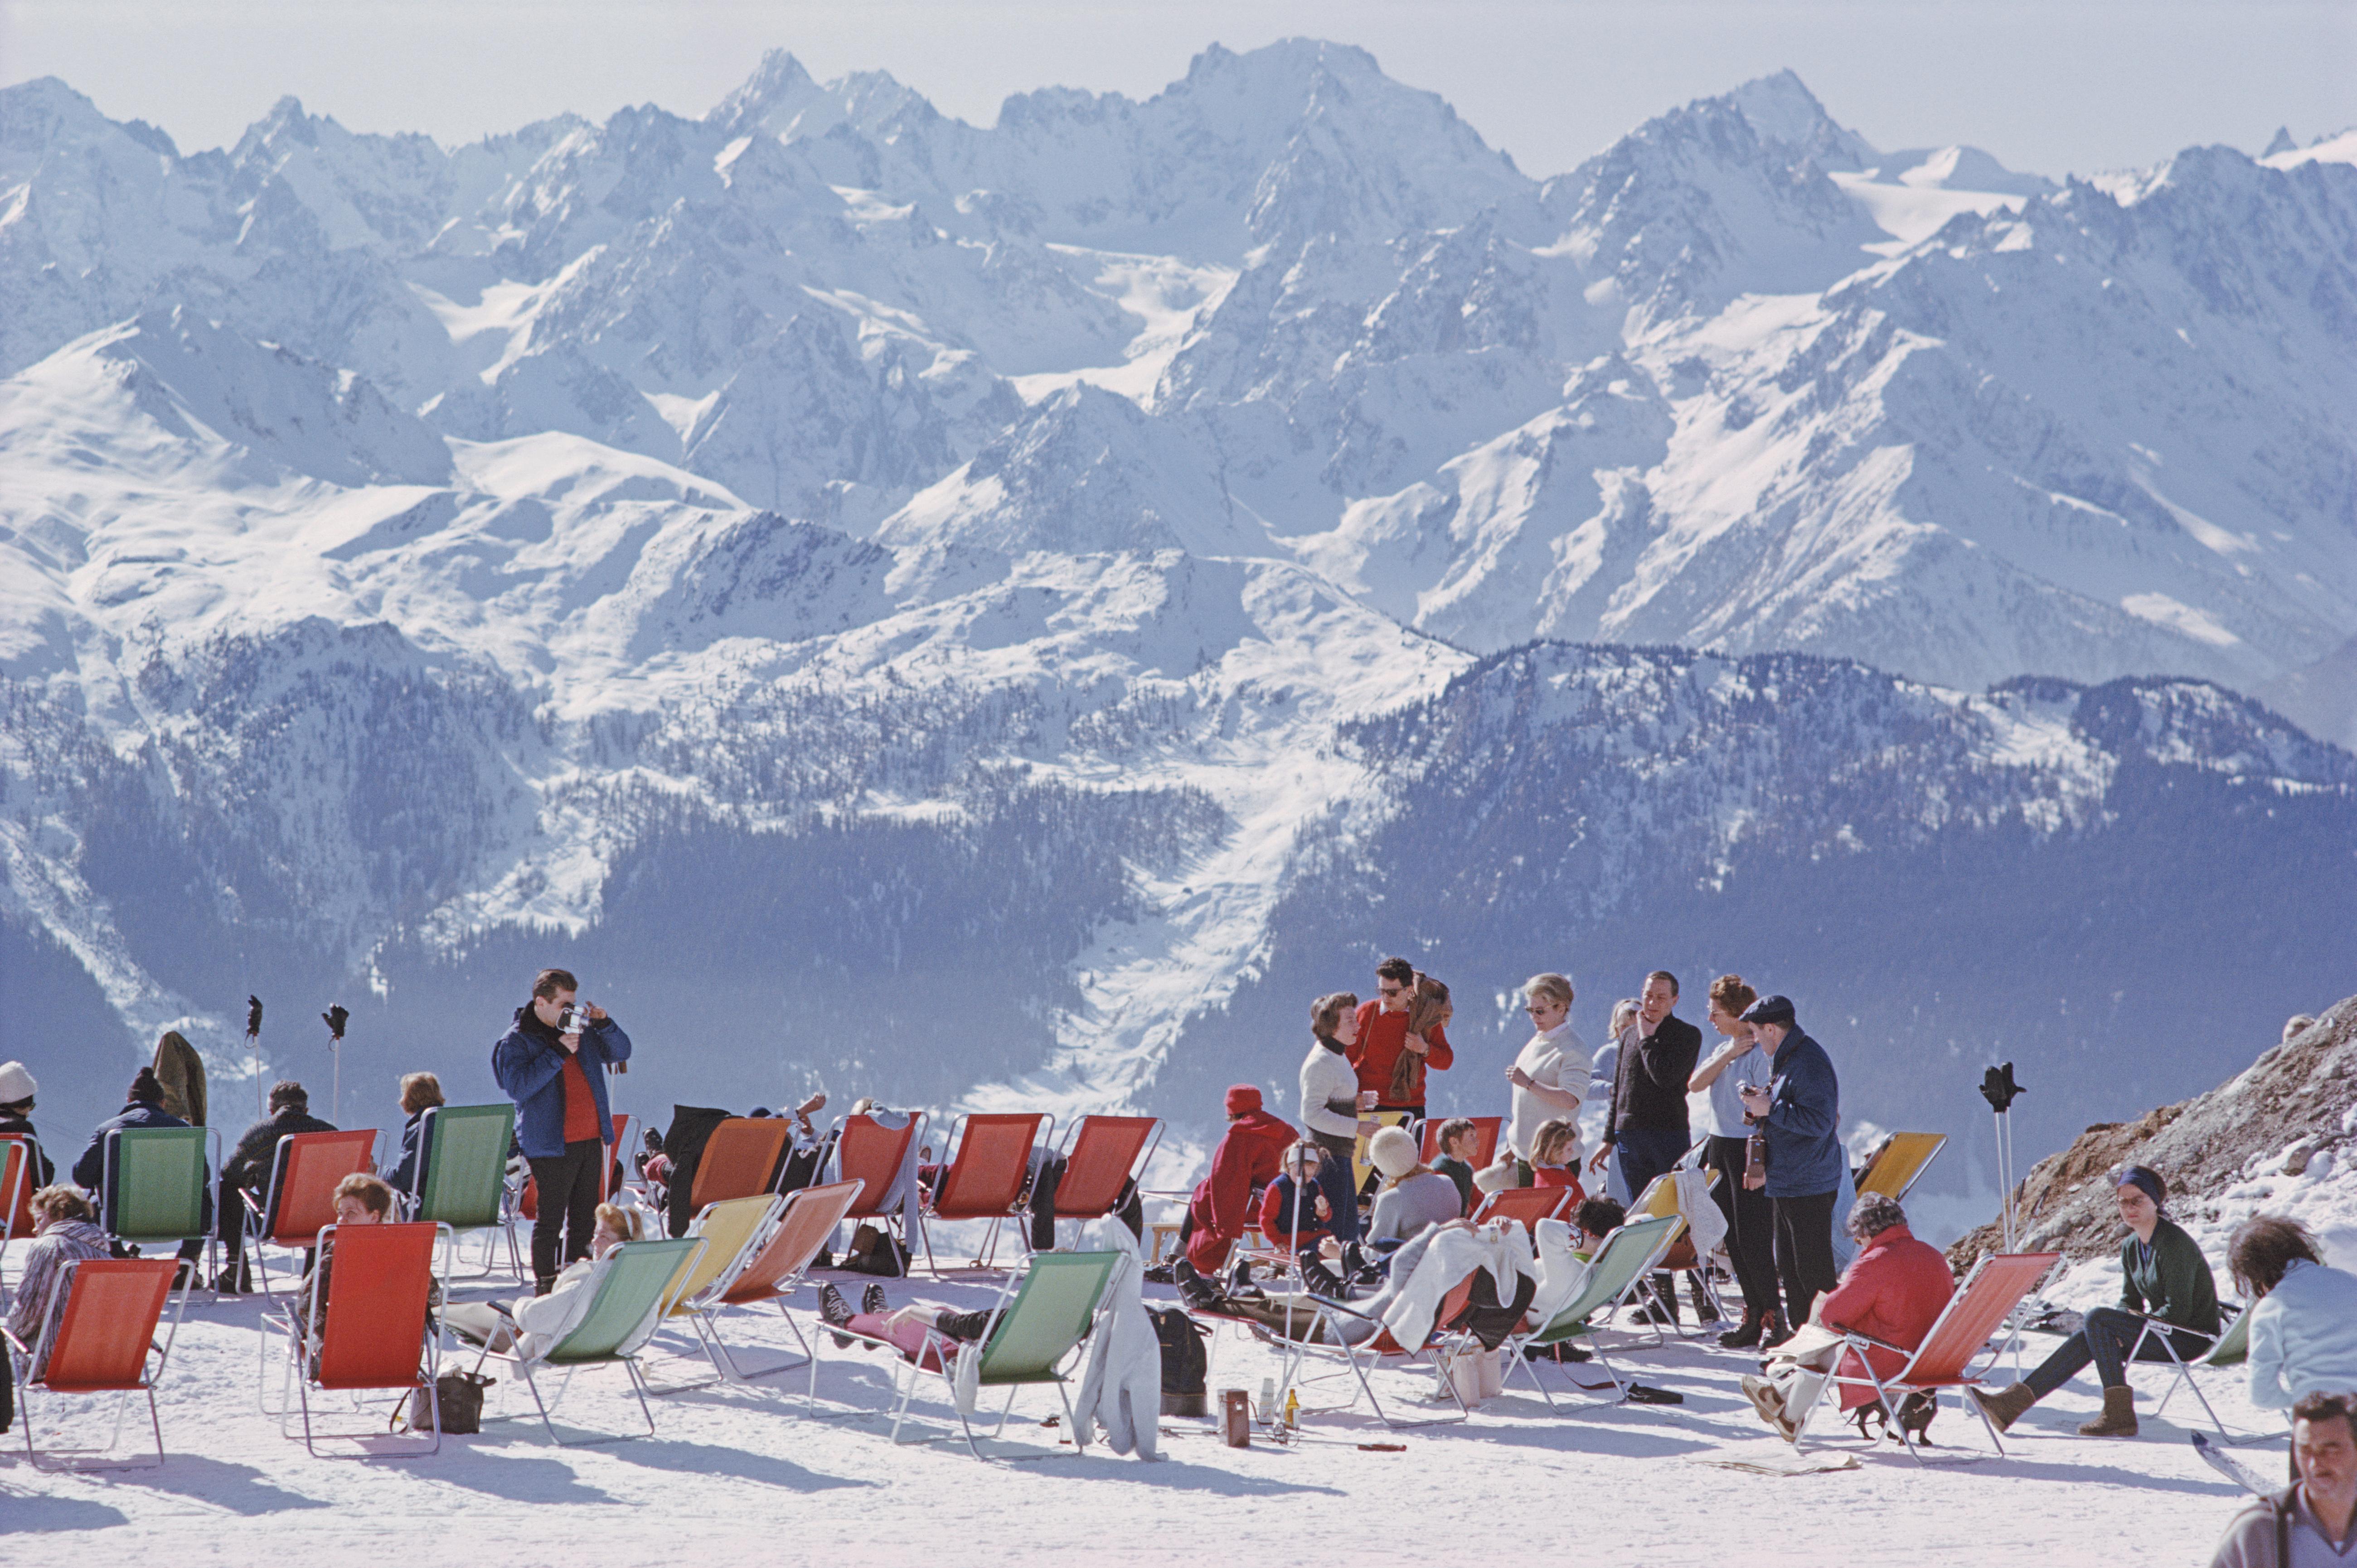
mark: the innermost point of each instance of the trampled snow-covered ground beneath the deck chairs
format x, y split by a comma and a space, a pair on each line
760, 1477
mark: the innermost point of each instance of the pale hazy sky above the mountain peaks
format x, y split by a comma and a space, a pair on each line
2054, 86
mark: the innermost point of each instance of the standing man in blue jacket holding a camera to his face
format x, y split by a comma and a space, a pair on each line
553, 1062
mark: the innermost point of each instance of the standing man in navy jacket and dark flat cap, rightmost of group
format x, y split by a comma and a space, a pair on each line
1800, 1114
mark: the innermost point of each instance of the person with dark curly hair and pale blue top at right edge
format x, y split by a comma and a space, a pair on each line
2304, 1317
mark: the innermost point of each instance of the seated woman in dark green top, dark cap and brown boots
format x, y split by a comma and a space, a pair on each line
2165, 1279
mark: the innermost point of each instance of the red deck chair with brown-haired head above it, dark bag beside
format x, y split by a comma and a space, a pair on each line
371, 1333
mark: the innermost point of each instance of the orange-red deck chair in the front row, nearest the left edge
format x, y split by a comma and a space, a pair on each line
95, 1338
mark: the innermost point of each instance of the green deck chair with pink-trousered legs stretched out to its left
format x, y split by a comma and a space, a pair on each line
1045, 1312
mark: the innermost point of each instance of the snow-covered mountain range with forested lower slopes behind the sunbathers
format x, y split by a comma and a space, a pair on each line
1008, 614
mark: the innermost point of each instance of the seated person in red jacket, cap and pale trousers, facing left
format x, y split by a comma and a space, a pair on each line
1894, 1291
